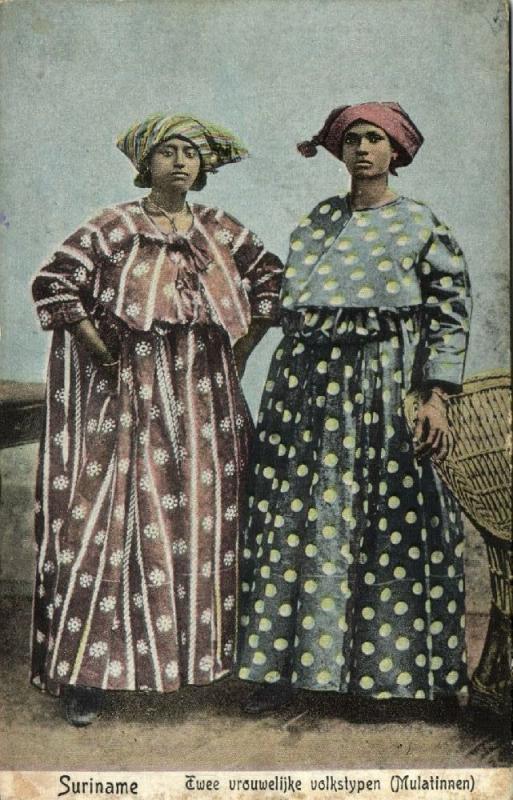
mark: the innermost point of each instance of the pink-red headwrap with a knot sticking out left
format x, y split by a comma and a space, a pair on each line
390, 117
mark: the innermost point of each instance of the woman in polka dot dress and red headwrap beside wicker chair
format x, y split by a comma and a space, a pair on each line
353, 560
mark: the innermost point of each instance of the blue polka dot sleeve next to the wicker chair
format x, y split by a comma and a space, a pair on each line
447, 304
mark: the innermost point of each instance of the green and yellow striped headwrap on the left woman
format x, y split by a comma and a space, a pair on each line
217, 146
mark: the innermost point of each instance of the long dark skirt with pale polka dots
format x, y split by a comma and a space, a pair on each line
352, 569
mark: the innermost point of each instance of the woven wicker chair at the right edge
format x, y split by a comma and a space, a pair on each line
478, 472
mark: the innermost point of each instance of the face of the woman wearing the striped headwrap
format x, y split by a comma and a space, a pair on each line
174, 164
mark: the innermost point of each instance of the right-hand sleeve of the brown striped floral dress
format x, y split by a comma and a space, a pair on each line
261, 273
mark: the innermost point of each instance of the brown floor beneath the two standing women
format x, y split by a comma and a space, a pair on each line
204, 729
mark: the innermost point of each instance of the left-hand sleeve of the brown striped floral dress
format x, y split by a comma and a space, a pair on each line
63, 288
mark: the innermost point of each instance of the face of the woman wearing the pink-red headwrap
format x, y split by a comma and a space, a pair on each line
367, 151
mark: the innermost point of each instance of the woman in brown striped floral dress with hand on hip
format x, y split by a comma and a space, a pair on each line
146, 438
